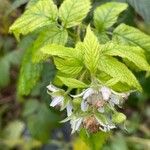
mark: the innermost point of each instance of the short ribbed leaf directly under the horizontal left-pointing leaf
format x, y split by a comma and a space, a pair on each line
68, 66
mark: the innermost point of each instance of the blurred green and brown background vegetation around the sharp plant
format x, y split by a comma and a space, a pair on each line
28, 123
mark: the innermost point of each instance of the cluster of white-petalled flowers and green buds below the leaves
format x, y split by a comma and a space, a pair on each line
93, 109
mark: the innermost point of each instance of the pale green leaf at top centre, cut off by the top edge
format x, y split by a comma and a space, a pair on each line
72, 12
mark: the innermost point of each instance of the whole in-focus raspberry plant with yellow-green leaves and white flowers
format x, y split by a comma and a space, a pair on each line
94, 59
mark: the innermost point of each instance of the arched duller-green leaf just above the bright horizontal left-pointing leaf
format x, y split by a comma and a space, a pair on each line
48, 35
